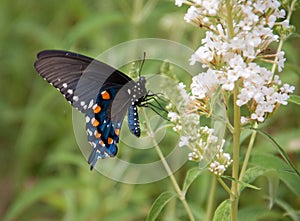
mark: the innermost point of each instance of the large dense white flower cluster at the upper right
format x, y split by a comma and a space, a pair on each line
229, 60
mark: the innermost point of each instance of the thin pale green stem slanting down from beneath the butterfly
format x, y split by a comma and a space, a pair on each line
178, 191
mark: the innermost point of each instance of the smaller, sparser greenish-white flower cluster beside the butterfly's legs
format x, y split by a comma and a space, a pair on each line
204, 145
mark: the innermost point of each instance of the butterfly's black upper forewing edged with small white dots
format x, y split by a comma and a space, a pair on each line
76, 76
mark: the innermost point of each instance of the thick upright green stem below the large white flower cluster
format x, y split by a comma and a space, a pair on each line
236, 148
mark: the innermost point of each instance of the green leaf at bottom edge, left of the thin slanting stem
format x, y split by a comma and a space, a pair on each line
159, 204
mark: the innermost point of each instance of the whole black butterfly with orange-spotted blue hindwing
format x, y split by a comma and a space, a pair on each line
101, 92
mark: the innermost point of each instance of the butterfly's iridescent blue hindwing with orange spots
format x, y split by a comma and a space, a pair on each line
105, 121
